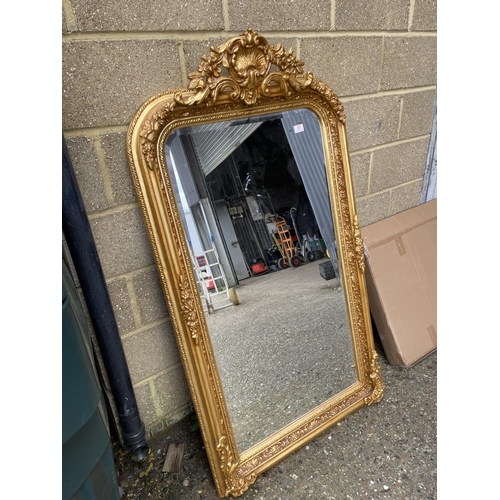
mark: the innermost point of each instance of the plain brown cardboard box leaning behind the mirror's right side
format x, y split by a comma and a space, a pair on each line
401, 278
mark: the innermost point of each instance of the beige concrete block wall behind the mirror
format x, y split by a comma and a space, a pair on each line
379, 56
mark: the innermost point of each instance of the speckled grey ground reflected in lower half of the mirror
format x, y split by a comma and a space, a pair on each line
282, 351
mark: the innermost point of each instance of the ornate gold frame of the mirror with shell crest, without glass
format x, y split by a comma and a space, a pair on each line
235, 81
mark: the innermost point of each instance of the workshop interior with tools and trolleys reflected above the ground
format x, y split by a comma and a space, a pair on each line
254, 199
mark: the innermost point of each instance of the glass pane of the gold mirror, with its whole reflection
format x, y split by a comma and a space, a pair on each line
253, 198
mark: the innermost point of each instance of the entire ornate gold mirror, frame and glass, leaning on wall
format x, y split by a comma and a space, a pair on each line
244, 183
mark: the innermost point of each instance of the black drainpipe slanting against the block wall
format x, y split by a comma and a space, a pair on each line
83, 251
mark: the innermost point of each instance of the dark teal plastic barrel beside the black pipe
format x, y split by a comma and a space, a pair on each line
88, 468
